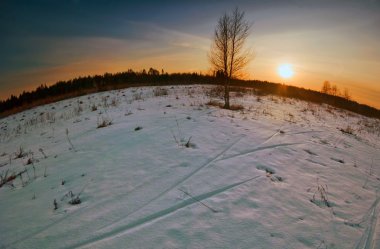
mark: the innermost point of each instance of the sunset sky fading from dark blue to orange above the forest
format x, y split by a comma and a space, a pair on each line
323, 40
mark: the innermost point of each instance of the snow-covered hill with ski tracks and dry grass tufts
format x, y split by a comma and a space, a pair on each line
174, 172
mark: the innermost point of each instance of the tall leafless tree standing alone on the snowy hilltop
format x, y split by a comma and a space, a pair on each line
227, 55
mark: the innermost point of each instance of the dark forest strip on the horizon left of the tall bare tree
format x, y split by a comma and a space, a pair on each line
89, 84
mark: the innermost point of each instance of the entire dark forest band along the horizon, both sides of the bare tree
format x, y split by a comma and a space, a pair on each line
90, 84
